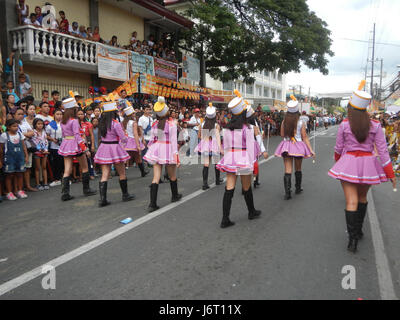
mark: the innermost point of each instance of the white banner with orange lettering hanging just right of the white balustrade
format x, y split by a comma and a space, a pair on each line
112, 63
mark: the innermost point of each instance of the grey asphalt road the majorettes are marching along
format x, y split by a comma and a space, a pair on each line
296, 250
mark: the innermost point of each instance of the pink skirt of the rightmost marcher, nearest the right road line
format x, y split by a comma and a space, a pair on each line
360, 170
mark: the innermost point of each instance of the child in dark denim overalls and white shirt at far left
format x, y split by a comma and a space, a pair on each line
15, 156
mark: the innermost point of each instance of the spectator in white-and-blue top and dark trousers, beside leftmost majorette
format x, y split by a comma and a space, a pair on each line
54, 133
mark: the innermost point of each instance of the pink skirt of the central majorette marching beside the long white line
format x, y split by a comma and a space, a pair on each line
238, 162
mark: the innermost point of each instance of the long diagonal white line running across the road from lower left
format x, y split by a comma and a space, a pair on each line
37, 272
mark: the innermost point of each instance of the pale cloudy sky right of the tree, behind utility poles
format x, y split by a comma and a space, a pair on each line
354, 19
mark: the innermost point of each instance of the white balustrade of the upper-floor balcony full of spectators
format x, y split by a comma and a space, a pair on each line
41, 47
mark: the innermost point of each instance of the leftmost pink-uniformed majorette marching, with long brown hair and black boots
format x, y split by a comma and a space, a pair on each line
73, 146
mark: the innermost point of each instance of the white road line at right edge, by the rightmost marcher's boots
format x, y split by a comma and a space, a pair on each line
385, 279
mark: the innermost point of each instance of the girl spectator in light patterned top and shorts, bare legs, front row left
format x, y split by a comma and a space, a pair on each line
40, 156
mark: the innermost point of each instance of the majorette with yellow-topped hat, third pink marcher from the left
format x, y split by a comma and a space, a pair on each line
163, 150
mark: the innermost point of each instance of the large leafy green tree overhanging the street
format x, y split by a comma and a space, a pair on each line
239, 37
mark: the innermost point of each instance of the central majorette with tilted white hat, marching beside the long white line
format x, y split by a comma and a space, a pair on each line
239, 158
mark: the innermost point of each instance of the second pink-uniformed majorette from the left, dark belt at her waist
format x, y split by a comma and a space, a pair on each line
111, 153
